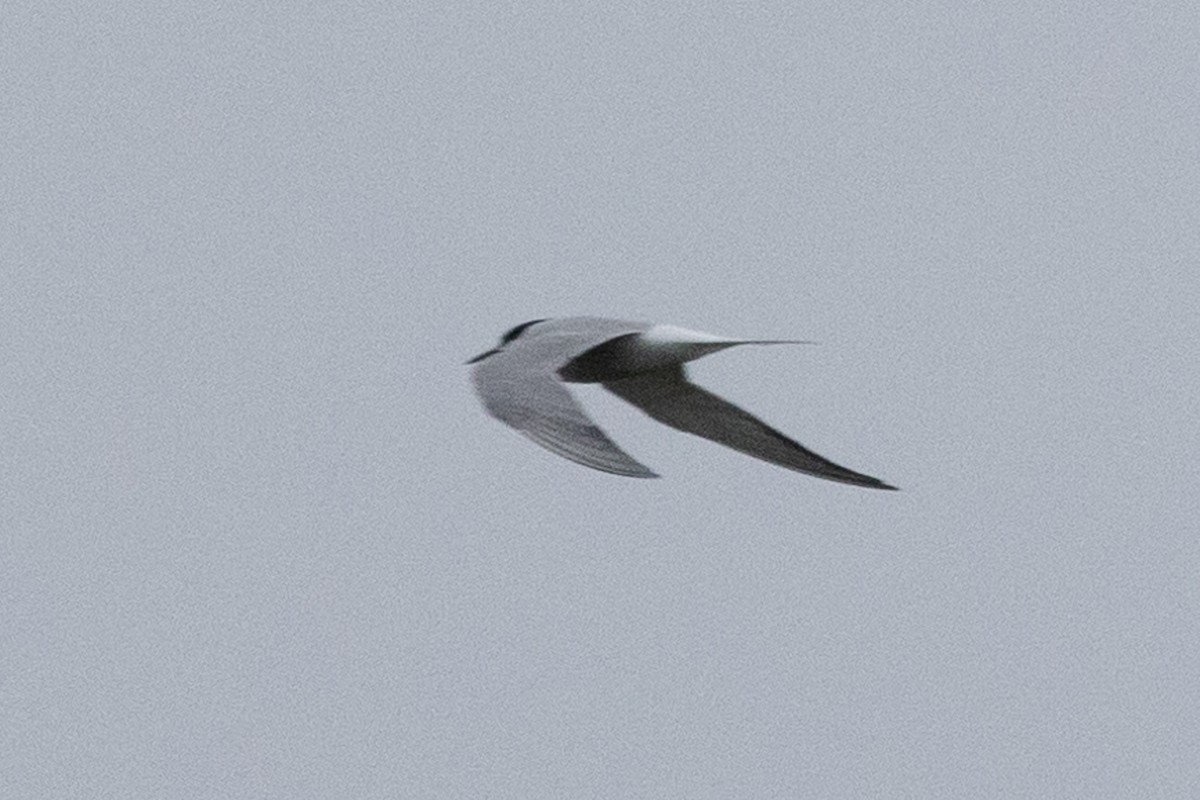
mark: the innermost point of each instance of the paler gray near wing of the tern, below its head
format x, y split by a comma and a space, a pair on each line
523, 392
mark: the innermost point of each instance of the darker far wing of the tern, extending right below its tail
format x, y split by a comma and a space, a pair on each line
668, 396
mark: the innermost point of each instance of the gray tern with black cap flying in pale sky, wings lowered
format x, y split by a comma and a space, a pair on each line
521, 383
